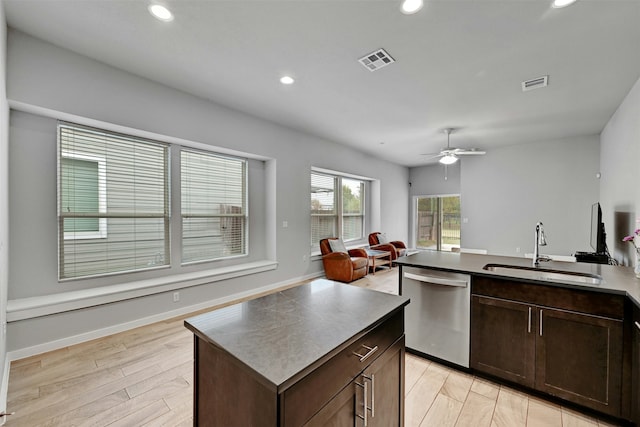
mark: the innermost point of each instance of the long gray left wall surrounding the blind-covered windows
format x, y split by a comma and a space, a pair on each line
58, 81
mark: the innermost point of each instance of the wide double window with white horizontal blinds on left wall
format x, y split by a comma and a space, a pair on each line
114, 203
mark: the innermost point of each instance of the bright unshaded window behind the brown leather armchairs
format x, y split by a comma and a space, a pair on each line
337, 207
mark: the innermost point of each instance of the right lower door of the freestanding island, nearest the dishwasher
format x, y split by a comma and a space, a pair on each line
385, 380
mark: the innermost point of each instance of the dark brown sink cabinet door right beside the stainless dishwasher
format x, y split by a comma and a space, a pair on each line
503, 339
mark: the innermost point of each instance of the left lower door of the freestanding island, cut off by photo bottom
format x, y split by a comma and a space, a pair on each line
340, 411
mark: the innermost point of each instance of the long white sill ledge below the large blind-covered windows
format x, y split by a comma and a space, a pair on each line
27, 308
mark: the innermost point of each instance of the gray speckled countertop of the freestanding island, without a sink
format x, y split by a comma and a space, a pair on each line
283, 335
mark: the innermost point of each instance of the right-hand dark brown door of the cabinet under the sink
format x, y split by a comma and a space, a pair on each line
579, 358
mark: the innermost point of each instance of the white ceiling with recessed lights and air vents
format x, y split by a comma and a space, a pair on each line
458, 64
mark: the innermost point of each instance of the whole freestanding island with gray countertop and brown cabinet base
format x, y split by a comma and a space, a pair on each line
319, 354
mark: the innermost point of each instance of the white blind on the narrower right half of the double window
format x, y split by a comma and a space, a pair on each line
214, 206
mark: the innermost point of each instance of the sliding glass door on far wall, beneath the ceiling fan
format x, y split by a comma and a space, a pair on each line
438, 222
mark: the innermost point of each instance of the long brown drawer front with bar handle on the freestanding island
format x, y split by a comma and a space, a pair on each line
306, 397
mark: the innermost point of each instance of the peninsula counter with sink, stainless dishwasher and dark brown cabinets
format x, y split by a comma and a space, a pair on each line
563, 329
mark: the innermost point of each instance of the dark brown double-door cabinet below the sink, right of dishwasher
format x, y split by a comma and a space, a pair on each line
564, 342
